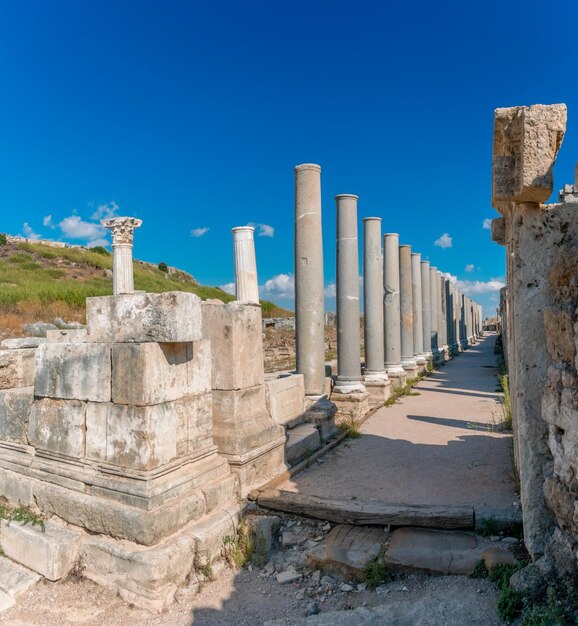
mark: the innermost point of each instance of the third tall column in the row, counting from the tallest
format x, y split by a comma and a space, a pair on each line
373, 300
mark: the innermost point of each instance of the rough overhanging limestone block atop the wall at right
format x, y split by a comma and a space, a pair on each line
526, 143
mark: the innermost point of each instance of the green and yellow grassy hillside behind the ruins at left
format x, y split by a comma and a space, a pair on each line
38, 282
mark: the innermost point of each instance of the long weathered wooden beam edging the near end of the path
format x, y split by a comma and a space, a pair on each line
367, 513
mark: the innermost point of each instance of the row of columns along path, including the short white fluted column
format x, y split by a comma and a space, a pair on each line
412, 311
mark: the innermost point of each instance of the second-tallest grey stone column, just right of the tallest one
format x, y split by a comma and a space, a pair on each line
347, 284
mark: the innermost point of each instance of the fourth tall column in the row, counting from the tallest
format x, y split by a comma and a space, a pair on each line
391, 305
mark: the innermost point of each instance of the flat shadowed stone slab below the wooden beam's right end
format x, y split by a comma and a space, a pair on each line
433, 551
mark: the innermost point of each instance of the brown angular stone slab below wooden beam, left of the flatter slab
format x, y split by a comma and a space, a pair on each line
346, 550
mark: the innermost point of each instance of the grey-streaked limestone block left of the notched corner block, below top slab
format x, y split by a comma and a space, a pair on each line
78, 371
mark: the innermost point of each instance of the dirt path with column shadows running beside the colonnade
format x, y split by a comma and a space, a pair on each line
438, 447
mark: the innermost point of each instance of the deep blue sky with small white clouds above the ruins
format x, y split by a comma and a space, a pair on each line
191, 116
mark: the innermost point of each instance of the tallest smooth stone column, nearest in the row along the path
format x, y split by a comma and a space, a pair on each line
309, 310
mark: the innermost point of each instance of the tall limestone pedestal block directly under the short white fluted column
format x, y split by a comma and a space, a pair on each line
236, 344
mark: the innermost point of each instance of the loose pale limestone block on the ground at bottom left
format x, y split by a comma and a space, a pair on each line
52, 552
